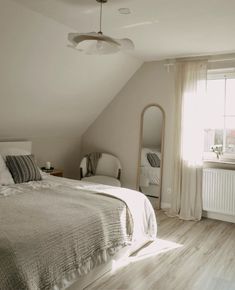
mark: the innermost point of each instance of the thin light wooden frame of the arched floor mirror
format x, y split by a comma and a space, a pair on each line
158, 206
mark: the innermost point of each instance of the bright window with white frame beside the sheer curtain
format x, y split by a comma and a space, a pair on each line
219, 128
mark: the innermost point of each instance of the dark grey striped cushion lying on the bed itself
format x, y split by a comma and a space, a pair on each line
23, 168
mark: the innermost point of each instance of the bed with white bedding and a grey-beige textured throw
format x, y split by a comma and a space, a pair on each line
58, 233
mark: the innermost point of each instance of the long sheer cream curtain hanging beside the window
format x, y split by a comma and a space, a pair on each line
188, 146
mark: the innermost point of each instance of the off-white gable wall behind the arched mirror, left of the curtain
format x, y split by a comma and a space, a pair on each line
117, 129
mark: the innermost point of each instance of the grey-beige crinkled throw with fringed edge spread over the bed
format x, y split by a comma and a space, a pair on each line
46, 235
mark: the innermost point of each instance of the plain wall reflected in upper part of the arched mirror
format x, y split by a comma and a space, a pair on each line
152, 127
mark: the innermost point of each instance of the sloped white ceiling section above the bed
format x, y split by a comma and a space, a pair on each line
46, 88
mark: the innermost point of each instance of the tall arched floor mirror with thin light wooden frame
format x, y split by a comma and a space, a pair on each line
150, 167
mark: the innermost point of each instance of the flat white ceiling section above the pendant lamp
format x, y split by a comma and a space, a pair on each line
159, 28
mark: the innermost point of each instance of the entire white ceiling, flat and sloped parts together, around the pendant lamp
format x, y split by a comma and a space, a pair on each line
48, 89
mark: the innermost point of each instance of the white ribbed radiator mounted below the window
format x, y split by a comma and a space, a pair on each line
218, 191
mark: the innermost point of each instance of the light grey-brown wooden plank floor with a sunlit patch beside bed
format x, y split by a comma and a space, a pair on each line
187, 256
